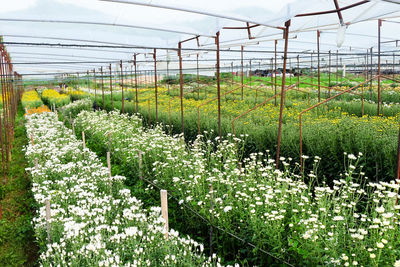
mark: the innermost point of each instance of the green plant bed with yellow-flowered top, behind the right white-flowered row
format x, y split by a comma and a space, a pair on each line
328, 131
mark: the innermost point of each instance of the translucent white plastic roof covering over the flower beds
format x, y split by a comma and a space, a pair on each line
360, 34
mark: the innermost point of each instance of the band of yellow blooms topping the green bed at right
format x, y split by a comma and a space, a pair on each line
263, 115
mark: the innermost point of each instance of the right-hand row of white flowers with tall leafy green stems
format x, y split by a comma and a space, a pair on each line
299, 219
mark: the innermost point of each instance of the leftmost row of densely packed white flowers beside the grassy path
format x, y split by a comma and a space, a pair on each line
94, 220
